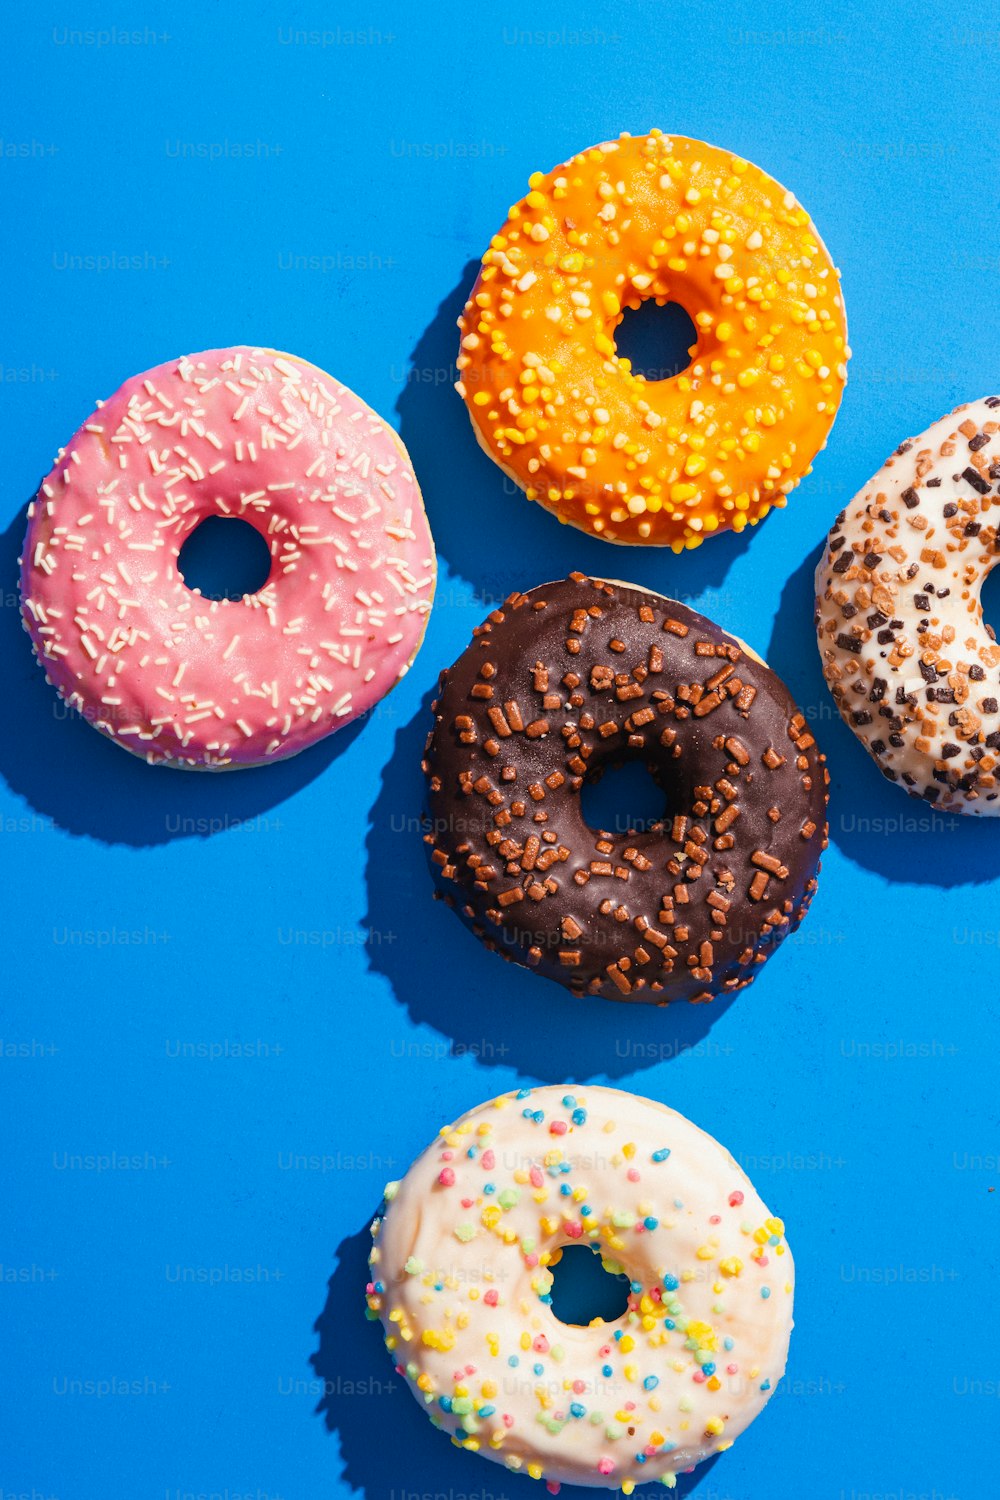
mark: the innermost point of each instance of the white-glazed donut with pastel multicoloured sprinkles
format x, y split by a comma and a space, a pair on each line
463, 1285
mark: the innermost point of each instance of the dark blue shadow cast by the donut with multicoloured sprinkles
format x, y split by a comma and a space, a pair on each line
388, 1444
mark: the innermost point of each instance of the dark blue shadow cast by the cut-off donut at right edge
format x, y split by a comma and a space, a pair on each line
873, 823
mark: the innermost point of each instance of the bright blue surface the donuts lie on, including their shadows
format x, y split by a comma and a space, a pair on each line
161, 923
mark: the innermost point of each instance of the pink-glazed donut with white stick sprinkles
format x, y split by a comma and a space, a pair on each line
221, 685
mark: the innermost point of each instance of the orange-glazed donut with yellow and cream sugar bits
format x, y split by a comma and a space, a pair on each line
674, 461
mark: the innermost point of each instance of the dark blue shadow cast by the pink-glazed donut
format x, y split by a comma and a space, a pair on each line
82, 782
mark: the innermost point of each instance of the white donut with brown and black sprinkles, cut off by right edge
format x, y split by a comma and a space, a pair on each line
909, 659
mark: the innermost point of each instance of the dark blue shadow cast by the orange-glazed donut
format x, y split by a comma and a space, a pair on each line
482, 521
